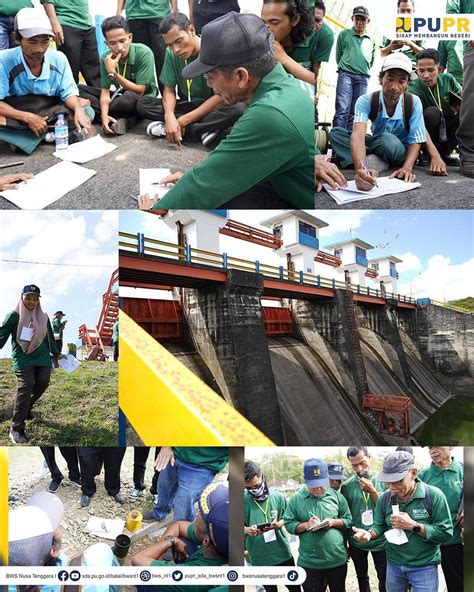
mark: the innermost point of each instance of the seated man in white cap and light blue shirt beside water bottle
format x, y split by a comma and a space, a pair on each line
36, 82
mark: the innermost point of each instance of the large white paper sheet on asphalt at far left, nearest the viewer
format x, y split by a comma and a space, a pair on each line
48, 186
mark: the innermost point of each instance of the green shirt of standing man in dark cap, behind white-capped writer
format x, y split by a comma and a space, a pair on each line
354, 54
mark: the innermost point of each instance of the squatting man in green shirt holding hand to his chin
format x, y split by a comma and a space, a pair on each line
129, 68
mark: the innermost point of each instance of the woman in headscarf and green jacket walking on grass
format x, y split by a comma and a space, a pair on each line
32, 346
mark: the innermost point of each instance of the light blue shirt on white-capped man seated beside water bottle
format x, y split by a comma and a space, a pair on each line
16, 79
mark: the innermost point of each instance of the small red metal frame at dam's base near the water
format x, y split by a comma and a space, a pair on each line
388, 408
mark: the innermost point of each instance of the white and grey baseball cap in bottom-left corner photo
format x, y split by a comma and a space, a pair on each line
31, 529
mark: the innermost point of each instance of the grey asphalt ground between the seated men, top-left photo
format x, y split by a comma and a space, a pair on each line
117, 171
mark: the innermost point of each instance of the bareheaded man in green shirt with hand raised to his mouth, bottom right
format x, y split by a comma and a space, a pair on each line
362, 492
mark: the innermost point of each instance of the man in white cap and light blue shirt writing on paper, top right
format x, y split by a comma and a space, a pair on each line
393, 139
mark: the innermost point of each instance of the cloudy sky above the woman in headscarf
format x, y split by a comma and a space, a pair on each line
81, 245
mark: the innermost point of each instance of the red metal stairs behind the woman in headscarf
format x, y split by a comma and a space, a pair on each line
95, 340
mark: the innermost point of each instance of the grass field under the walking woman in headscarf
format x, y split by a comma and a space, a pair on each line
78, 409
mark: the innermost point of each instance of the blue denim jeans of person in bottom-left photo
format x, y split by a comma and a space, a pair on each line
179, 488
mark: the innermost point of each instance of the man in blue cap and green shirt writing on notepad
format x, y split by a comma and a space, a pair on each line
318, 515
